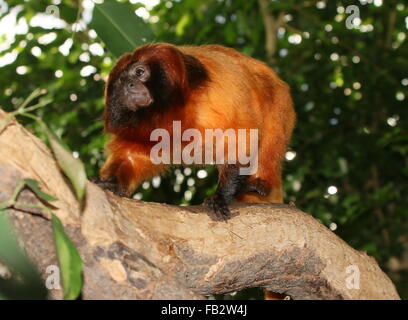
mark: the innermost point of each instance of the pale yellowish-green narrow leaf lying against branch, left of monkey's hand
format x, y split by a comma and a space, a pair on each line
73, 168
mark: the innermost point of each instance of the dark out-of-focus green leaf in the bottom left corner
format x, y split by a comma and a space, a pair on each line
25, 282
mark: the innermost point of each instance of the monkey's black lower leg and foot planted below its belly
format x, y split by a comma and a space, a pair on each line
230, 183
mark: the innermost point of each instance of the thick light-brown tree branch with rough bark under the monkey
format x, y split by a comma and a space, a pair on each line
138, 250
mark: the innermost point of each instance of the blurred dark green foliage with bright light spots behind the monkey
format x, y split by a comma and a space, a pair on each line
347, 65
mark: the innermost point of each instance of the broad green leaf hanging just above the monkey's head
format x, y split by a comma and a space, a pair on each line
119, 27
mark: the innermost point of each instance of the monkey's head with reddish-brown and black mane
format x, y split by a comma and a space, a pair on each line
152, 79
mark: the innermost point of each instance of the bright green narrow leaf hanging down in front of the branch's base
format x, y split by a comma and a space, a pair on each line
69, 260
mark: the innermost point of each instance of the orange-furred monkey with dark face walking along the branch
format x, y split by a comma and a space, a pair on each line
202, 87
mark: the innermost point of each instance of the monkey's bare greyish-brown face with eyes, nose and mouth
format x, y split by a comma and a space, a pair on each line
130, 91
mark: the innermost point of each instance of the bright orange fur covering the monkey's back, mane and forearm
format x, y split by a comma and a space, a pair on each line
242, 93
